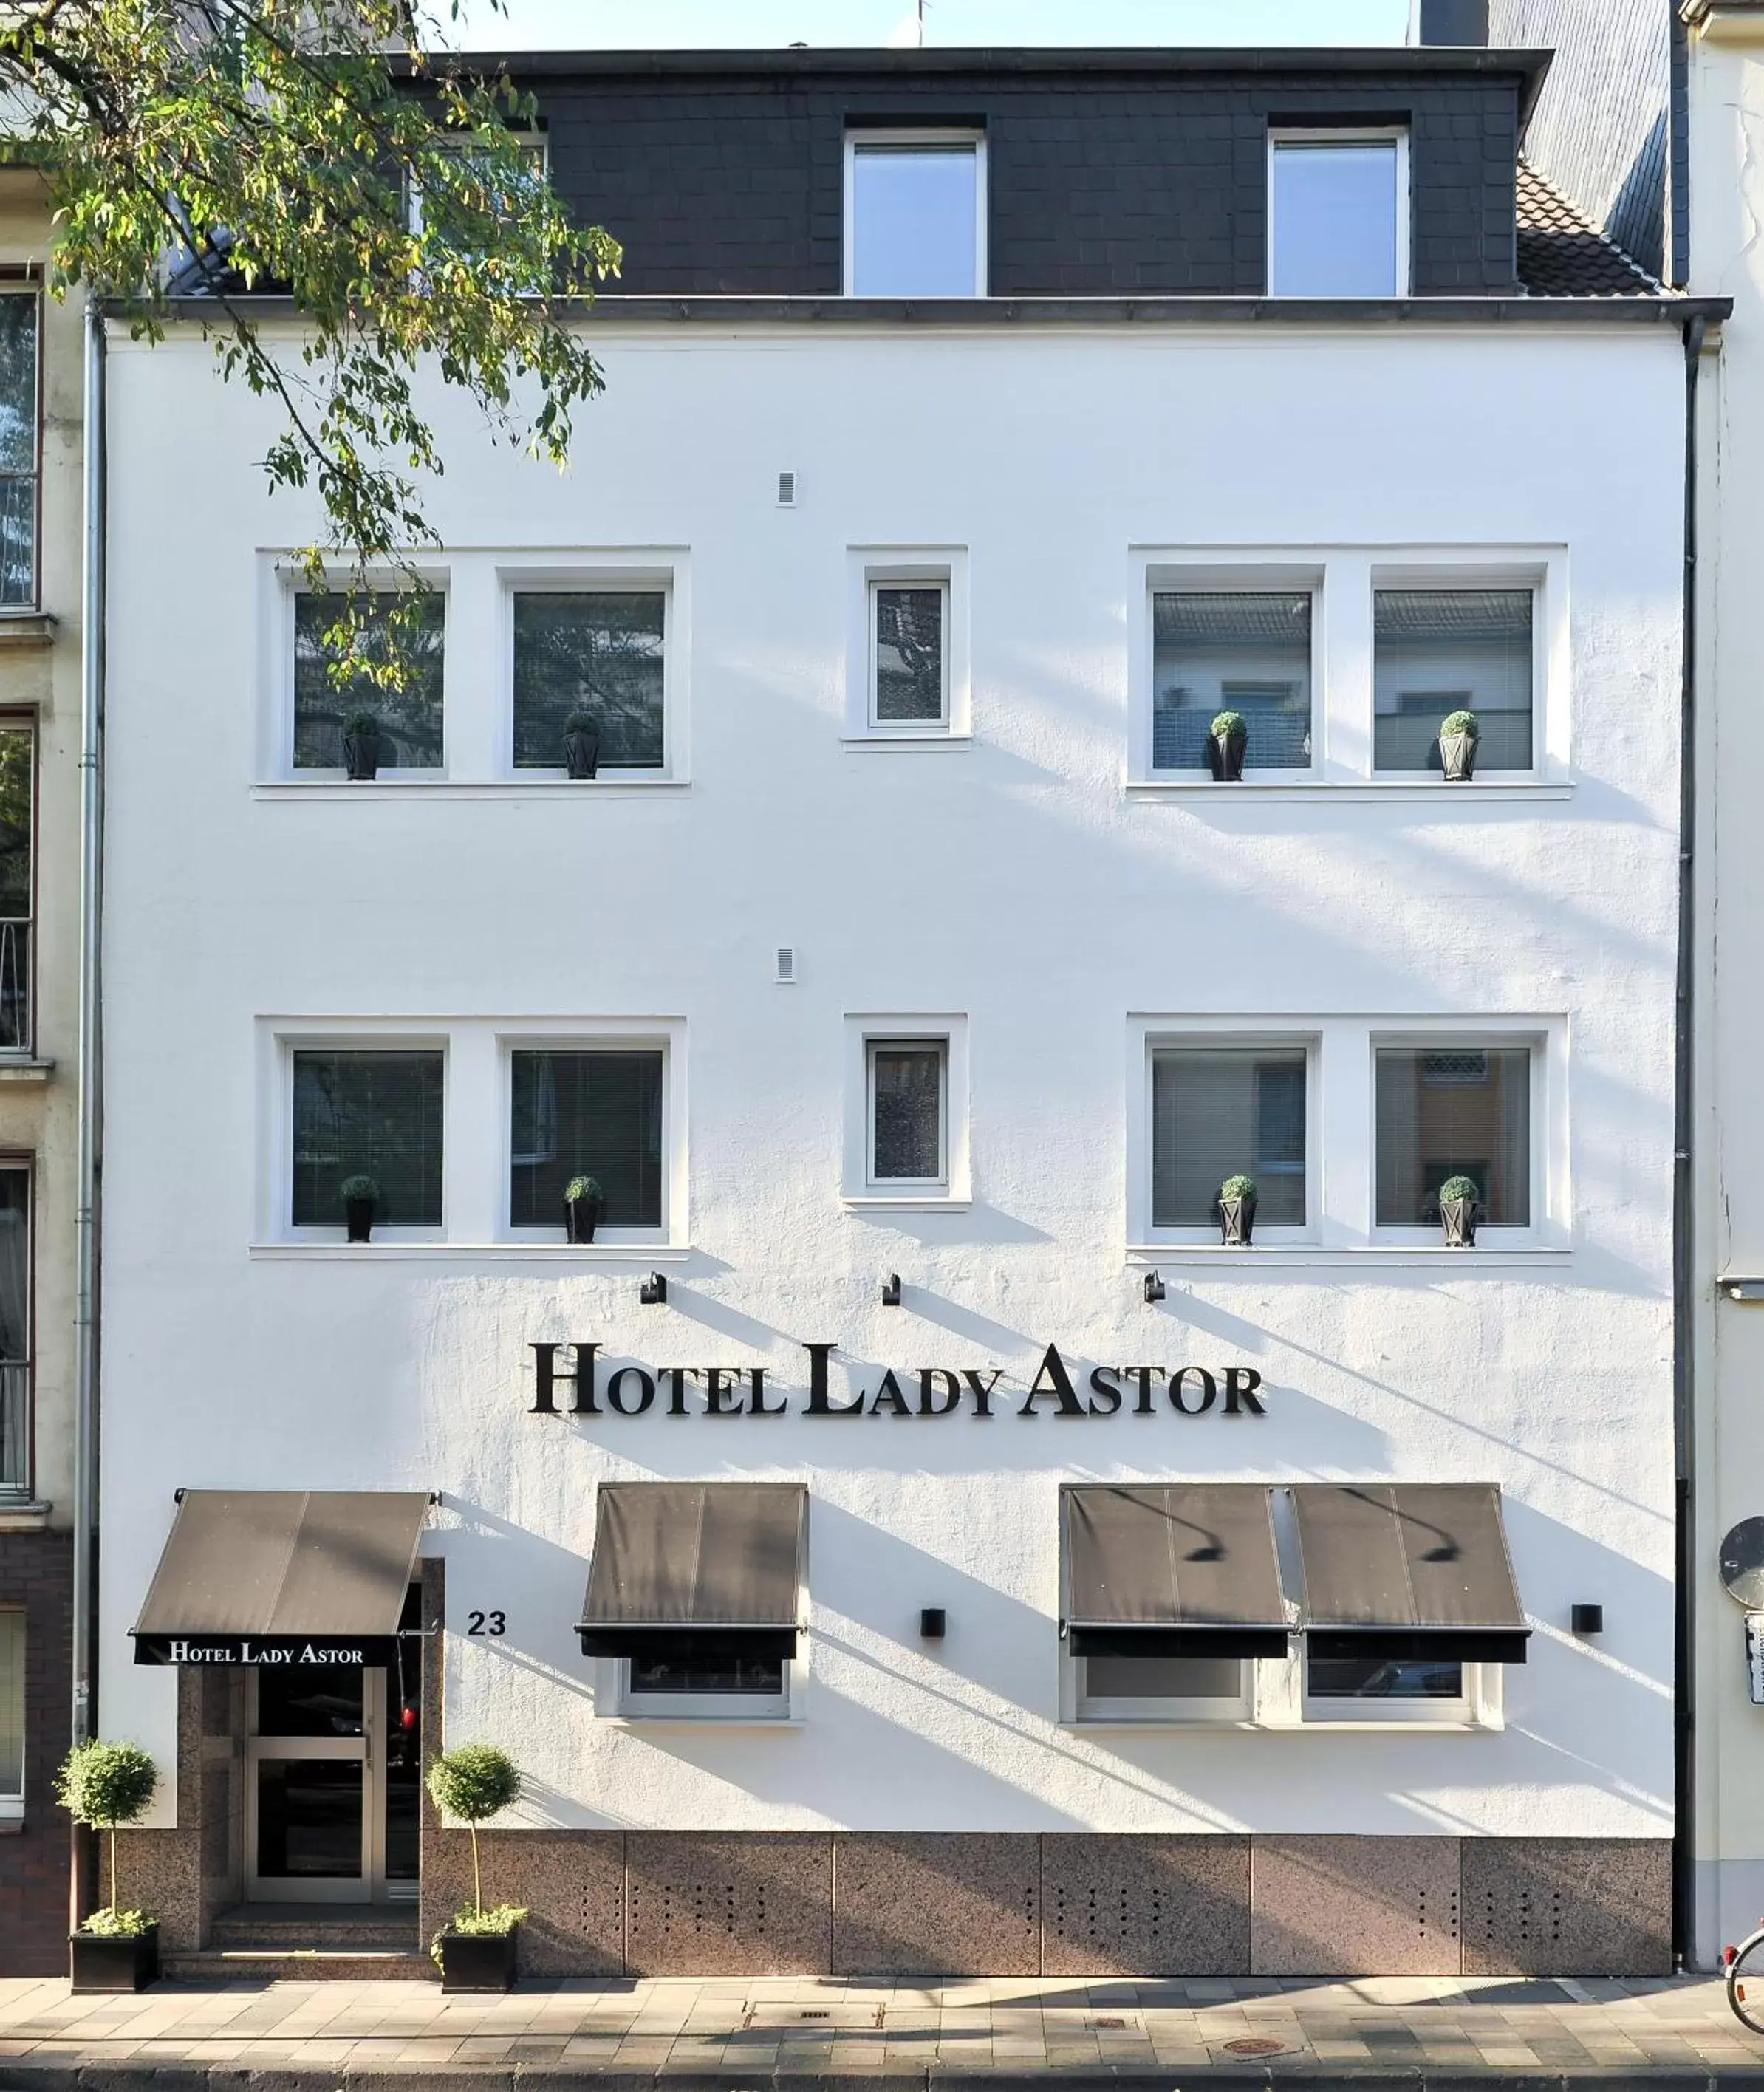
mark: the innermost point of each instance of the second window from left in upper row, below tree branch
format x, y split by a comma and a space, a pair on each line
595, 656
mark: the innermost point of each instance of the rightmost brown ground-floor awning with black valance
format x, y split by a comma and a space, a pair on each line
1409, 1570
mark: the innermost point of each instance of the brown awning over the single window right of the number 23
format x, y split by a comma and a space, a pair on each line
719, 1562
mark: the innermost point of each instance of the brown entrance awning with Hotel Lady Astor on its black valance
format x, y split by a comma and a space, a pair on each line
281, 1576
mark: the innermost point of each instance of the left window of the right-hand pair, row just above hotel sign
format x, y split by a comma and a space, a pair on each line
1221, 1112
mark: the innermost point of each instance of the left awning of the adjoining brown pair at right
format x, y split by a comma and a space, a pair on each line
1173, 1570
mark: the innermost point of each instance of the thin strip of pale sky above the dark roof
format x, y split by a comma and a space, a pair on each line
723, 24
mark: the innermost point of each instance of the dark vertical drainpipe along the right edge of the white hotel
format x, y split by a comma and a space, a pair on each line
1683, 1610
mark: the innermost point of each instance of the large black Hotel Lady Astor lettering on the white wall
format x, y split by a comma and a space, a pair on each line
572, 1380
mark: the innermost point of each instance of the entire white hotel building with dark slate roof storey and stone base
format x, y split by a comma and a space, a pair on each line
907, 1534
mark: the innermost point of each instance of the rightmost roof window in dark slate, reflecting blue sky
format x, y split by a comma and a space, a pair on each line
1338, 214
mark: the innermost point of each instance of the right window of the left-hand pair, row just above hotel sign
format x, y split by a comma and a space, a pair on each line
587, 1114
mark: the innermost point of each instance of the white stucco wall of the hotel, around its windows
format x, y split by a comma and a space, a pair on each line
1016, 884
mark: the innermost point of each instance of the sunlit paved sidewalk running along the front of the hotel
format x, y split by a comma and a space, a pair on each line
746, 2032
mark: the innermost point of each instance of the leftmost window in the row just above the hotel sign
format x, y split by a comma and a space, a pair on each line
367, 1112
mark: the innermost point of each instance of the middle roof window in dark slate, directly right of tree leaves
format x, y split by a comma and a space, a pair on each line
915, 214
